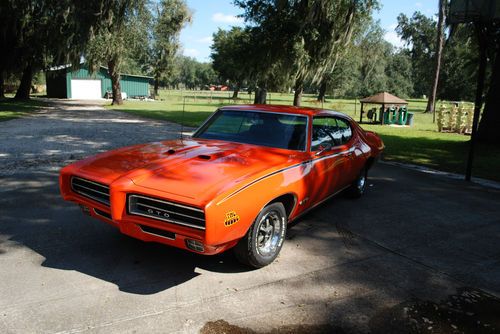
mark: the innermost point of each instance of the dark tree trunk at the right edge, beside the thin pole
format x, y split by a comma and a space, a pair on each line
488, 131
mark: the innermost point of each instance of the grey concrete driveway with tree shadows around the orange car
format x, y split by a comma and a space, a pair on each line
418, 253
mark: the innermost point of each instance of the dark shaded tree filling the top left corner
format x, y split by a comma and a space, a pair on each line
37, 34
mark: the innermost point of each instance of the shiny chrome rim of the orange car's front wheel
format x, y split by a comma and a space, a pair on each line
269, 233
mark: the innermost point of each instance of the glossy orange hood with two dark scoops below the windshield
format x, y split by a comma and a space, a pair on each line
193, 168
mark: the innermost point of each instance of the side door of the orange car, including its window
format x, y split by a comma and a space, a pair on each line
331, 158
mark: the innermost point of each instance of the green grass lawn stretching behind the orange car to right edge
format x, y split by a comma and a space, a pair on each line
421, 144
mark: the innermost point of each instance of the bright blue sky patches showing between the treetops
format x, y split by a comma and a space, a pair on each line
210, 15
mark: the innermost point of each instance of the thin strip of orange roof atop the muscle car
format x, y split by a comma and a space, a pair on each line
285, 109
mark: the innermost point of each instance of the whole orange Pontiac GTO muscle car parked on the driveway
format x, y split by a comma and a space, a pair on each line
246, 173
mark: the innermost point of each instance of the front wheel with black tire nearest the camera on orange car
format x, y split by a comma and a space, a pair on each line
263, 241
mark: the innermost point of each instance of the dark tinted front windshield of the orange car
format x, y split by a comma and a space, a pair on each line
257, 128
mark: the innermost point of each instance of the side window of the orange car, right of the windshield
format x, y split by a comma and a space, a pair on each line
329, 131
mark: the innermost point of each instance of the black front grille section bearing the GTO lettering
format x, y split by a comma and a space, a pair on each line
166, 211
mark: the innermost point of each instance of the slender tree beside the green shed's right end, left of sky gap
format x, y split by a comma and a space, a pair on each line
171, 17
